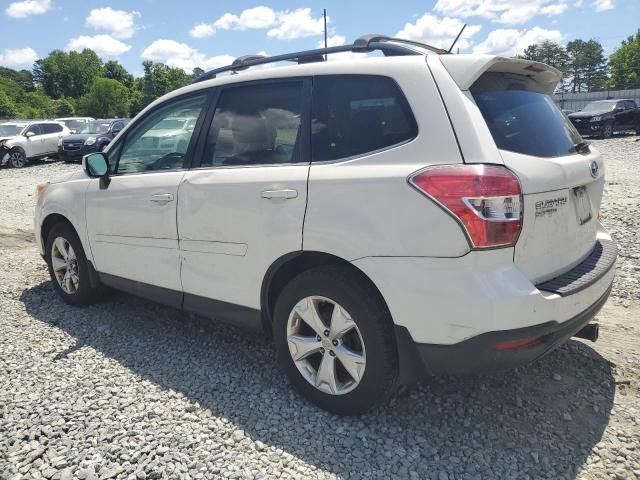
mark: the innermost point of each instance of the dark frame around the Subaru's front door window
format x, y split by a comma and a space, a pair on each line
208, 93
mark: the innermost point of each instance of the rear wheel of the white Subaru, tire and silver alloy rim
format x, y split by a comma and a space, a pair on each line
365, 347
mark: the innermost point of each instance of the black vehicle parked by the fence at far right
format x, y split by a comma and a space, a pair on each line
604, 117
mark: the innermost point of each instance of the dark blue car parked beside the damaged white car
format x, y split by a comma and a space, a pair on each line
91, 137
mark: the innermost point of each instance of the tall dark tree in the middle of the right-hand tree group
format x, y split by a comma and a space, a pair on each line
587, 66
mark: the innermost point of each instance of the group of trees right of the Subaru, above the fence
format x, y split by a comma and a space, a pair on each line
585, 67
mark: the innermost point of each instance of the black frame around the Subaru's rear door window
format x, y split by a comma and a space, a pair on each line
305, 122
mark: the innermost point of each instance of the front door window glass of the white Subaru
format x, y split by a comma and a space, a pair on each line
149, 147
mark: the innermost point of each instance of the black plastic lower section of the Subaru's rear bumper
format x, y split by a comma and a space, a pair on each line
480, 354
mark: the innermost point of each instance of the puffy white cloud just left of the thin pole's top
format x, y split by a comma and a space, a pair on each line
283, 25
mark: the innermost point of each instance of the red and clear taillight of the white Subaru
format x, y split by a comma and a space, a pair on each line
485, 199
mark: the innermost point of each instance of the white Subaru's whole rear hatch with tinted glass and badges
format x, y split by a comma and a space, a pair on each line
561, 196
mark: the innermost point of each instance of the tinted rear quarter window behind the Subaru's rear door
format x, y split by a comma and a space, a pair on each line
358, 114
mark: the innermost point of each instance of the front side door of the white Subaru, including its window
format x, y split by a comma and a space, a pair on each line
132, 222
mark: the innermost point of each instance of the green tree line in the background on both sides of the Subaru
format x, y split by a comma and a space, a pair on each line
80, 84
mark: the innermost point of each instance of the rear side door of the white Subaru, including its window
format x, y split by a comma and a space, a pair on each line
243, 205
